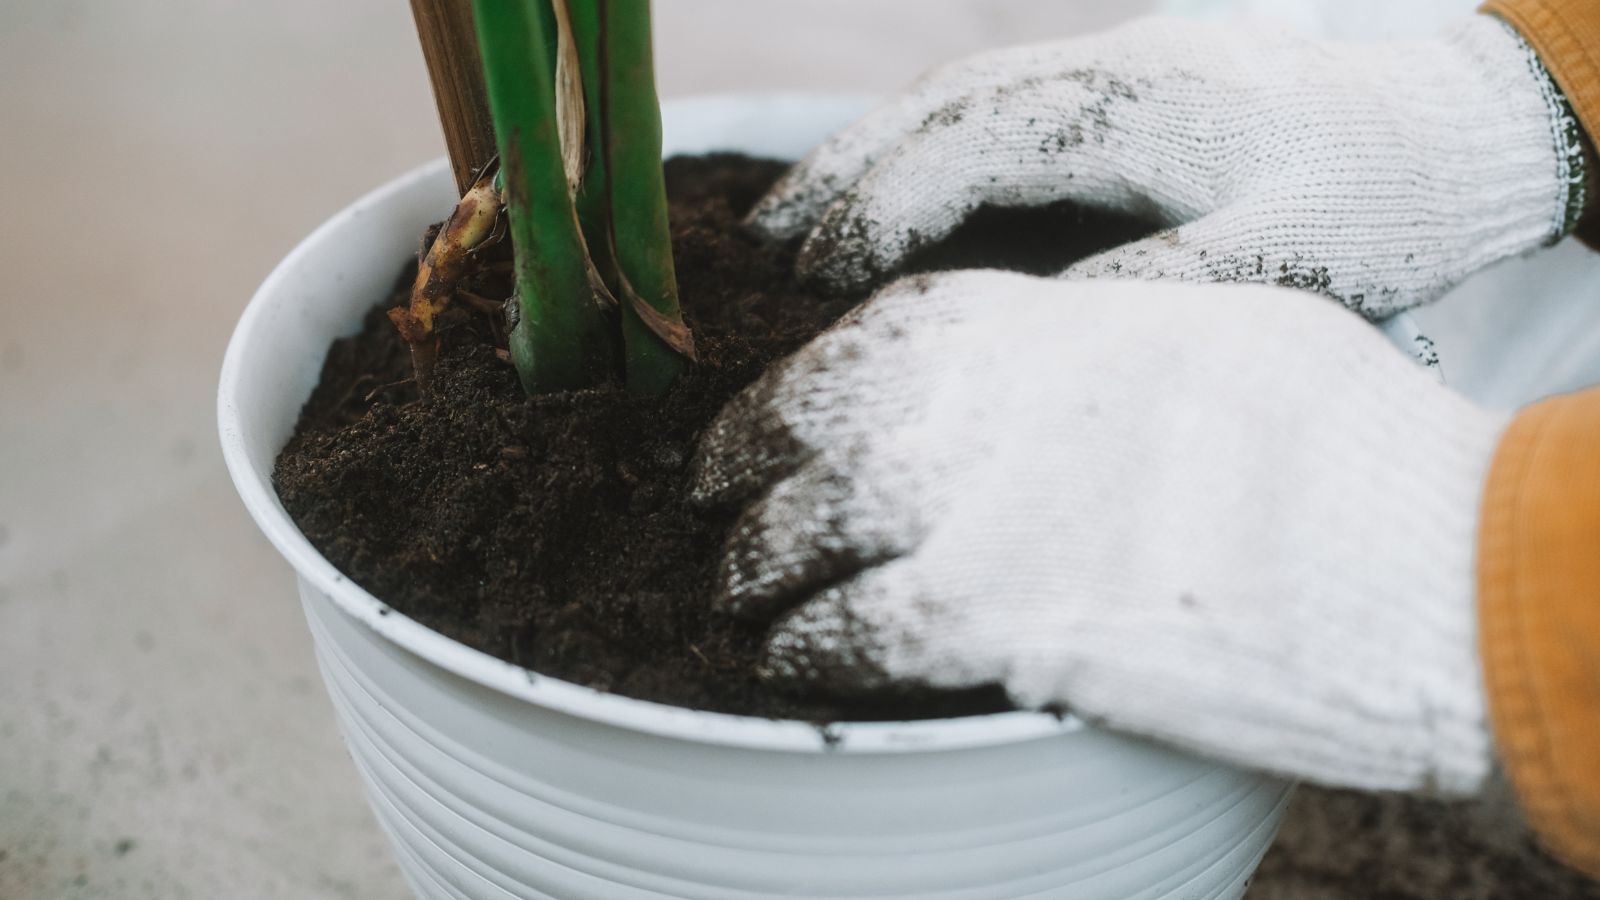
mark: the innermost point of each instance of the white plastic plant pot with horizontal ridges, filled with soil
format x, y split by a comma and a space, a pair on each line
497, 782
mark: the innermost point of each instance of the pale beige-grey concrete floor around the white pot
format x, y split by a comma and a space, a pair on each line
162, 726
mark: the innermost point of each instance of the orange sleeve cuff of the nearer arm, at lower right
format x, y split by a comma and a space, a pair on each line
1540, 619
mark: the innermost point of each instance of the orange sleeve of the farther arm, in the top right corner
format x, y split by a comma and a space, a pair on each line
1567, 38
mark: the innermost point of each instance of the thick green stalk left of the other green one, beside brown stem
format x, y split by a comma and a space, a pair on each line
559, 342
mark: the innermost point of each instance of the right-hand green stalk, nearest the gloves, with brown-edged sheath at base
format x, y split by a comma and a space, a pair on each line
657, 345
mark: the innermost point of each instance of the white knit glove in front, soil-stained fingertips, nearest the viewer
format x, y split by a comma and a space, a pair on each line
1230, 518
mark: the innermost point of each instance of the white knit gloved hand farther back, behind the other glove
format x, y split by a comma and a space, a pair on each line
1378, 175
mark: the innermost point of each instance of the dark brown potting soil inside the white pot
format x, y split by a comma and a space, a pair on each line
554, 531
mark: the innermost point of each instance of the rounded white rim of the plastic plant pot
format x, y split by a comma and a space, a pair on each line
518, 681
